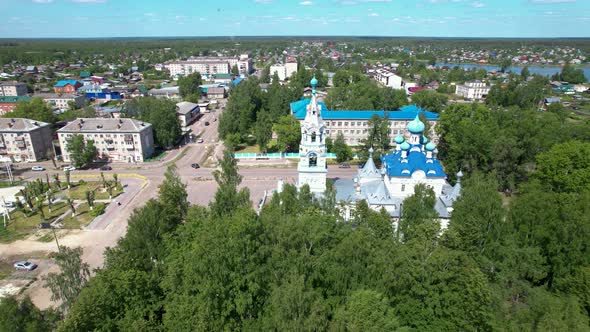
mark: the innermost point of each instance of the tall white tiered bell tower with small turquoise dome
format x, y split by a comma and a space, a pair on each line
312, 166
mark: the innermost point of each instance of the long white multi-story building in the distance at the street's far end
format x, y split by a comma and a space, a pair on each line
208, 65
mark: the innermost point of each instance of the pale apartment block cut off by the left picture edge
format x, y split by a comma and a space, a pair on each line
24, 140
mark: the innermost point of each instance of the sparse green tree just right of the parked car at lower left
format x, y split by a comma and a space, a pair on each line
73, 276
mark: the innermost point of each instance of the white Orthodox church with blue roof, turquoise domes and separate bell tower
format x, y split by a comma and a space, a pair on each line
412, 162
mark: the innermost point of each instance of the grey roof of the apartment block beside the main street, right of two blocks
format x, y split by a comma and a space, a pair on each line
105, 125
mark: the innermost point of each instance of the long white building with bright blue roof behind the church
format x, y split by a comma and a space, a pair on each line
354, 125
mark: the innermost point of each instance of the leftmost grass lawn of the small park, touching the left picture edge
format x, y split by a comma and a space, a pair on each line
20, 226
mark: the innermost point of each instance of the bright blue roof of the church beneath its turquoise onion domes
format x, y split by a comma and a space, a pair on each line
416, 161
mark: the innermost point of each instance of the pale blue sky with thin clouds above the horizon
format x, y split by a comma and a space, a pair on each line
438, 18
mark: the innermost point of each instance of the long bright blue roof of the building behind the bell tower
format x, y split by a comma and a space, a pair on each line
298, 109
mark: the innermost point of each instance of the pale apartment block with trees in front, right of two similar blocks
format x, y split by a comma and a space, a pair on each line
120, 140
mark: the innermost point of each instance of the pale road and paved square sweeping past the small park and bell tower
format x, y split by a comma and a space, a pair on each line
142, 184
